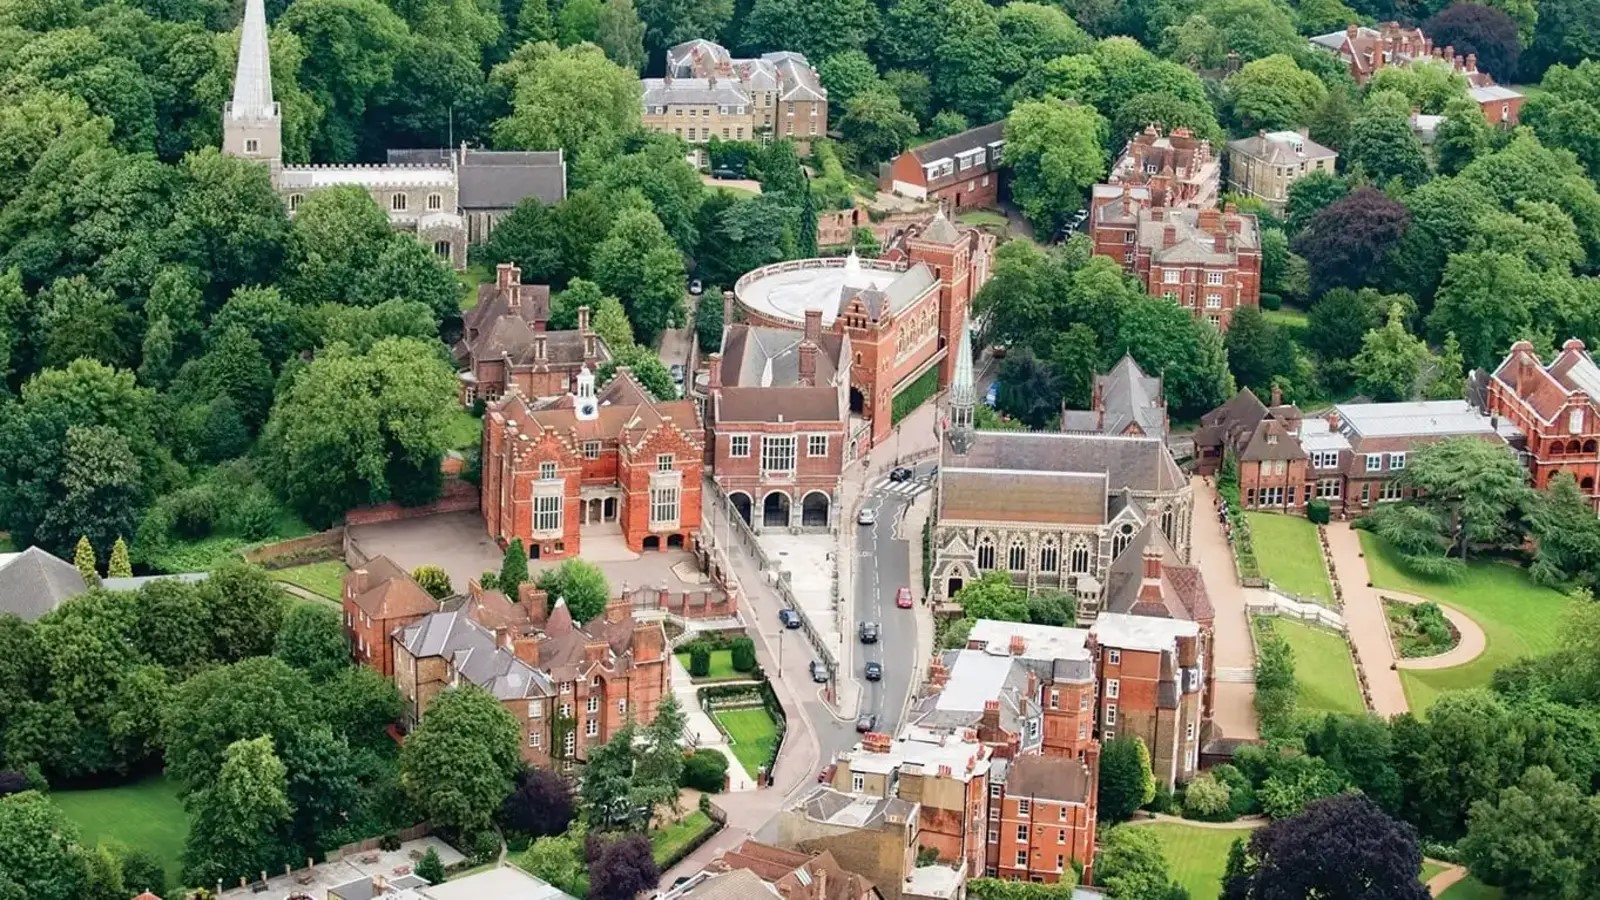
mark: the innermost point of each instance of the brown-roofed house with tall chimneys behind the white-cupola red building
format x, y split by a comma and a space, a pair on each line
506, 340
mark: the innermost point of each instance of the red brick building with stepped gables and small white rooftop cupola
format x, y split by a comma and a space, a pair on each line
617, 462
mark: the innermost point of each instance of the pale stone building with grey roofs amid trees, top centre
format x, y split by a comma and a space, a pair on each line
708, 94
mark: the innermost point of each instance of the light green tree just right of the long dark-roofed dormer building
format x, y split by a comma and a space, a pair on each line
1057, 153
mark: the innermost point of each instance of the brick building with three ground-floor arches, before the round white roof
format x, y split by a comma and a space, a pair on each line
777, 422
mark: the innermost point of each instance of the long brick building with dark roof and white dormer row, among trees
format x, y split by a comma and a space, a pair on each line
959, 172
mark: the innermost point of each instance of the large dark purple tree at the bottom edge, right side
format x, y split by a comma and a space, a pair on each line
1295, 858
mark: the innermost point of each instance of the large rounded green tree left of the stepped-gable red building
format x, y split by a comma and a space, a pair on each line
359, 428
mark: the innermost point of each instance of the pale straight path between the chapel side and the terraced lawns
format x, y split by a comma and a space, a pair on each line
1236, 704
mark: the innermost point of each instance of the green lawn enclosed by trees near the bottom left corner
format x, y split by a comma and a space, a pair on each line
140, 816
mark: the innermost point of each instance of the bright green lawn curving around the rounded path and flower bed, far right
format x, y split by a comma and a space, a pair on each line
1519, 619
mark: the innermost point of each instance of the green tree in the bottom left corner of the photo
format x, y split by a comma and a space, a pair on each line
38, 850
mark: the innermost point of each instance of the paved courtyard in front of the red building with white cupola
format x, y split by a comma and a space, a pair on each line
458, 544
